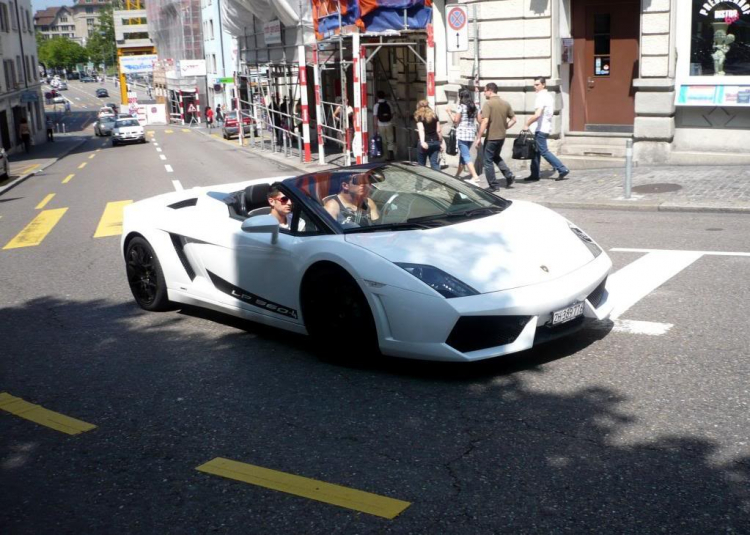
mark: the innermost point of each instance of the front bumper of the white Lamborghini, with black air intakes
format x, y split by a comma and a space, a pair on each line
488, 325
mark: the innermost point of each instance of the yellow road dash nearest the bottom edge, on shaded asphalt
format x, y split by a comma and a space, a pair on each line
308, 488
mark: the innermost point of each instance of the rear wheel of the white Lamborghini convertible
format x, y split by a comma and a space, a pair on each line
145, 276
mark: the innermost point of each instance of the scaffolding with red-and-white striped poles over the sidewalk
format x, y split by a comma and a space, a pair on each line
276, 95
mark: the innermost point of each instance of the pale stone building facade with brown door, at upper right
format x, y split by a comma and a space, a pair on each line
640, 69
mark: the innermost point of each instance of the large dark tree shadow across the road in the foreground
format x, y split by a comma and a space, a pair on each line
480, 451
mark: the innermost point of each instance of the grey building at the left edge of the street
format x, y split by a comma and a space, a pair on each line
20, 86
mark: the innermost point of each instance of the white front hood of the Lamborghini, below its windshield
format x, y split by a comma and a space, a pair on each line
525, 244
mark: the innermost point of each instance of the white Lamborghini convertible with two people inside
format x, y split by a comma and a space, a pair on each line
390, 257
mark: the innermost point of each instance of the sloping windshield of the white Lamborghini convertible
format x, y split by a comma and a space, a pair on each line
395, 197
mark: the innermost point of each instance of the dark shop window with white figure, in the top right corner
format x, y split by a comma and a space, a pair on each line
720, 39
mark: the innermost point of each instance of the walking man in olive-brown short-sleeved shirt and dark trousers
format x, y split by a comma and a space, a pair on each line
497, 118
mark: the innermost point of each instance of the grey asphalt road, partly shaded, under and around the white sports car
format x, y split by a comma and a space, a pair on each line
609, 430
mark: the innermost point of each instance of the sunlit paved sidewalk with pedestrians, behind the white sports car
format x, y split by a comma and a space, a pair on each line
718, 189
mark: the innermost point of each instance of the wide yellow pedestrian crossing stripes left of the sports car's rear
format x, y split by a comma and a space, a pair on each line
43, 225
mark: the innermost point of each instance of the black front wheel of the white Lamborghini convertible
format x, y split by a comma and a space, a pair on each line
338, 317
